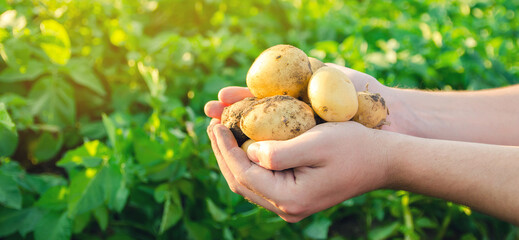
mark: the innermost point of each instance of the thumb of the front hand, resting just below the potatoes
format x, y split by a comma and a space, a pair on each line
281, 155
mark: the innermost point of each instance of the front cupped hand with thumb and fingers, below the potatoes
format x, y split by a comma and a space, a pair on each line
322, 167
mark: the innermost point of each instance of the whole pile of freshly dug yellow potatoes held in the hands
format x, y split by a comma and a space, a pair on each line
293, 93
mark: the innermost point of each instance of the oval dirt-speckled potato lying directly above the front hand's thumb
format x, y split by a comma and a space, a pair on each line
277, 118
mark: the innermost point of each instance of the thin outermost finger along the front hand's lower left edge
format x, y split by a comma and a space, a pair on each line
235, 186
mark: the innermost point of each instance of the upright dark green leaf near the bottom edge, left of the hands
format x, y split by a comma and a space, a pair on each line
172, 211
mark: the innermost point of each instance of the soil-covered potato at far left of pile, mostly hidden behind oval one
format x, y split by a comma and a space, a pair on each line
231, 116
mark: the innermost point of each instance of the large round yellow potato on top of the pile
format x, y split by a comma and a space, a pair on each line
279, 70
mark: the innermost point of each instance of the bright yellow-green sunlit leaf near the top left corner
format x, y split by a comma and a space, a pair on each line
56, 42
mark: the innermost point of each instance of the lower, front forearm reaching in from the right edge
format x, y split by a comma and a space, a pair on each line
484, 177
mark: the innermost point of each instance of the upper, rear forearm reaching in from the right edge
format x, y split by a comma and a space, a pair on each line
486, 116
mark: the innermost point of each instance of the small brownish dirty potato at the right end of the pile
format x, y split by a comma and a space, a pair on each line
372, 111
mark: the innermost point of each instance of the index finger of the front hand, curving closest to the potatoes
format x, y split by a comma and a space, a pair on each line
260, 180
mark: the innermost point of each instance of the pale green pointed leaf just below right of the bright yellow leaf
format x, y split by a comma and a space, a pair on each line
80, 70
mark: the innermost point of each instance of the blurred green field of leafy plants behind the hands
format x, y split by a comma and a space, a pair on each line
102, 131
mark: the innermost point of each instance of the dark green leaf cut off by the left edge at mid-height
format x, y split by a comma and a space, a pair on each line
8, 133
